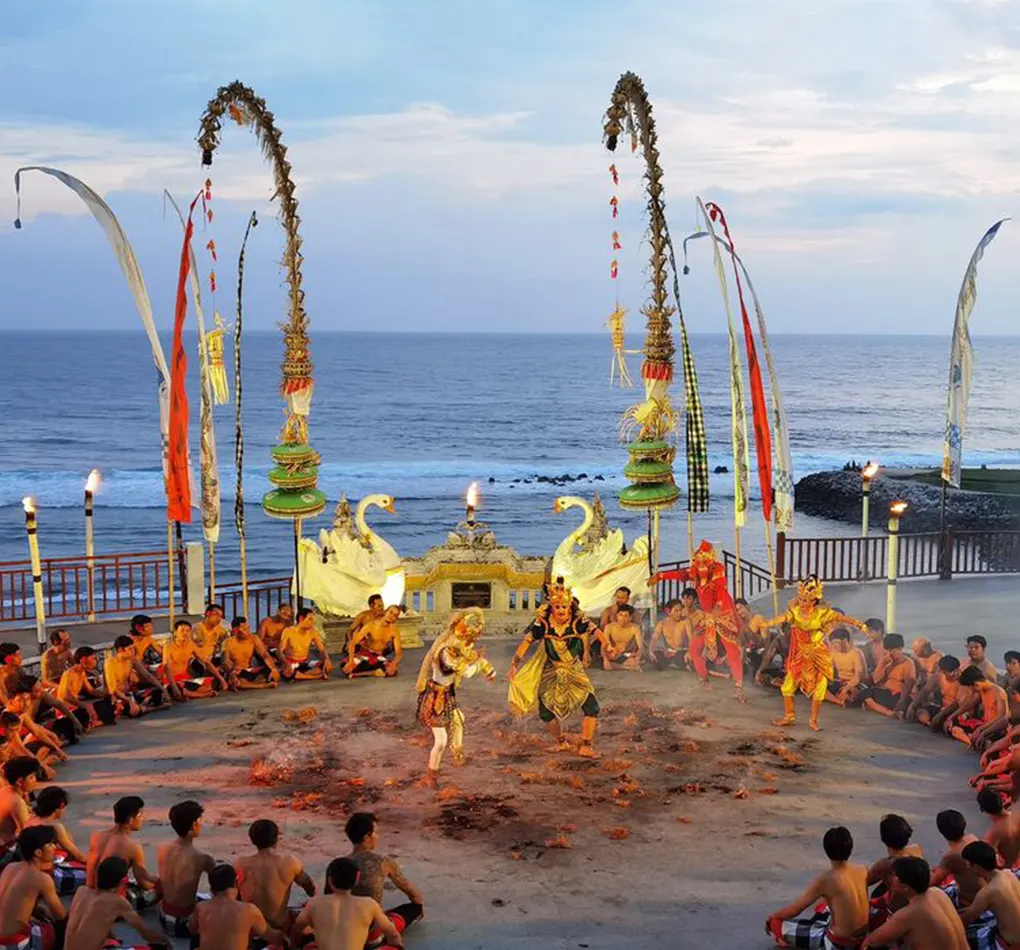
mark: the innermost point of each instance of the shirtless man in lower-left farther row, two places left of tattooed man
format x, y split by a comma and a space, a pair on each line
181, 867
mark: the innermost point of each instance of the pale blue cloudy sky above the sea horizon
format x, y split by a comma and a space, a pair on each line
449, 162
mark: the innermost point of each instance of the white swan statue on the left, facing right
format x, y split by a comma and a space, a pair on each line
351, 563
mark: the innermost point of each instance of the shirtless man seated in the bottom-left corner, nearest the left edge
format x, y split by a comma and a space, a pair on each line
31, 913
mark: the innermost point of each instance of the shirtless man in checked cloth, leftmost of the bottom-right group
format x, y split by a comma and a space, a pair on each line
843, 888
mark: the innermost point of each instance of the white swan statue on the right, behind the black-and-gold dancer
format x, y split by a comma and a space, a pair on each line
594, 560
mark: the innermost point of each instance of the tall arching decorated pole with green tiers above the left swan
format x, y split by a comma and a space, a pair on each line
295, 477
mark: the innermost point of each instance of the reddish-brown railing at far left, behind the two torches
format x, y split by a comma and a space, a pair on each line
111, 586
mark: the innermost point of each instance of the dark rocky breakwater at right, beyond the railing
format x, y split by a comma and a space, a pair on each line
837, 495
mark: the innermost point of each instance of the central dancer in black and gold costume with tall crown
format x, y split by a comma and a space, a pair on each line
554, 680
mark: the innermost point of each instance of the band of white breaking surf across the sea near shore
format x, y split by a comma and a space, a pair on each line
414, 481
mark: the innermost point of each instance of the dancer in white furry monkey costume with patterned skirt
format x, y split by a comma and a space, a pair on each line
452, 658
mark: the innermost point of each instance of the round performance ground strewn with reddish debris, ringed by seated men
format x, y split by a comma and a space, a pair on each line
700, 818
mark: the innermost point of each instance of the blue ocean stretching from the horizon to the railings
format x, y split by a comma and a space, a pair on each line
422, 416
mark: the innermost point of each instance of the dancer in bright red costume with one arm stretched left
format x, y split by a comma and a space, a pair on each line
708, 576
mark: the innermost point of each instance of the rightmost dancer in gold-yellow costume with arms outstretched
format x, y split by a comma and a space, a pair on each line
809, 666
